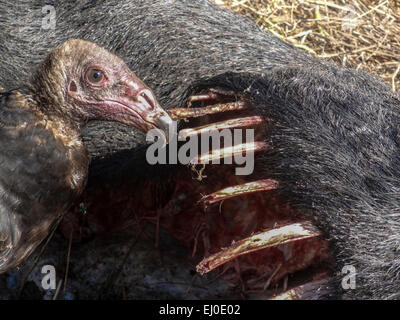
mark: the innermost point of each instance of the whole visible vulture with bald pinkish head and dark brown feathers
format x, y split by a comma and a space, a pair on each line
44, 164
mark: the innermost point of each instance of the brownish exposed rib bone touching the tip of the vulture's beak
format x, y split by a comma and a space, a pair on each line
183, 113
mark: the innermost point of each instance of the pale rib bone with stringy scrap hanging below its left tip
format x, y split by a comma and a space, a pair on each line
229, 152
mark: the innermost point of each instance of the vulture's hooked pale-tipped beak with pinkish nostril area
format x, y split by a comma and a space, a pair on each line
144, 110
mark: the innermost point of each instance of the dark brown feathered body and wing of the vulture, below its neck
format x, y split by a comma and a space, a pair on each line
35, 178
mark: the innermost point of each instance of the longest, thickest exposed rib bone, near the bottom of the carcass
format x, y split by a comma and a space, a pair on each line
265, 239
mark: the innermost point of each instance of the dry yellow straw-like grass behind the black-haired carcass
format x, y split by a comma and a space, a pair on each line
364, 34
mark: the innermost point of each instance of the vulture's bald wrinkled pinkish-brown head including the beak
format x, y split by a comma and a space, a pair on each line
82, 81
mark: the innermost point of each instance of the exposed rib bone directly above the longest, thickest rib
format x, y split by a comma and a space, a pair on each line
238, 190
